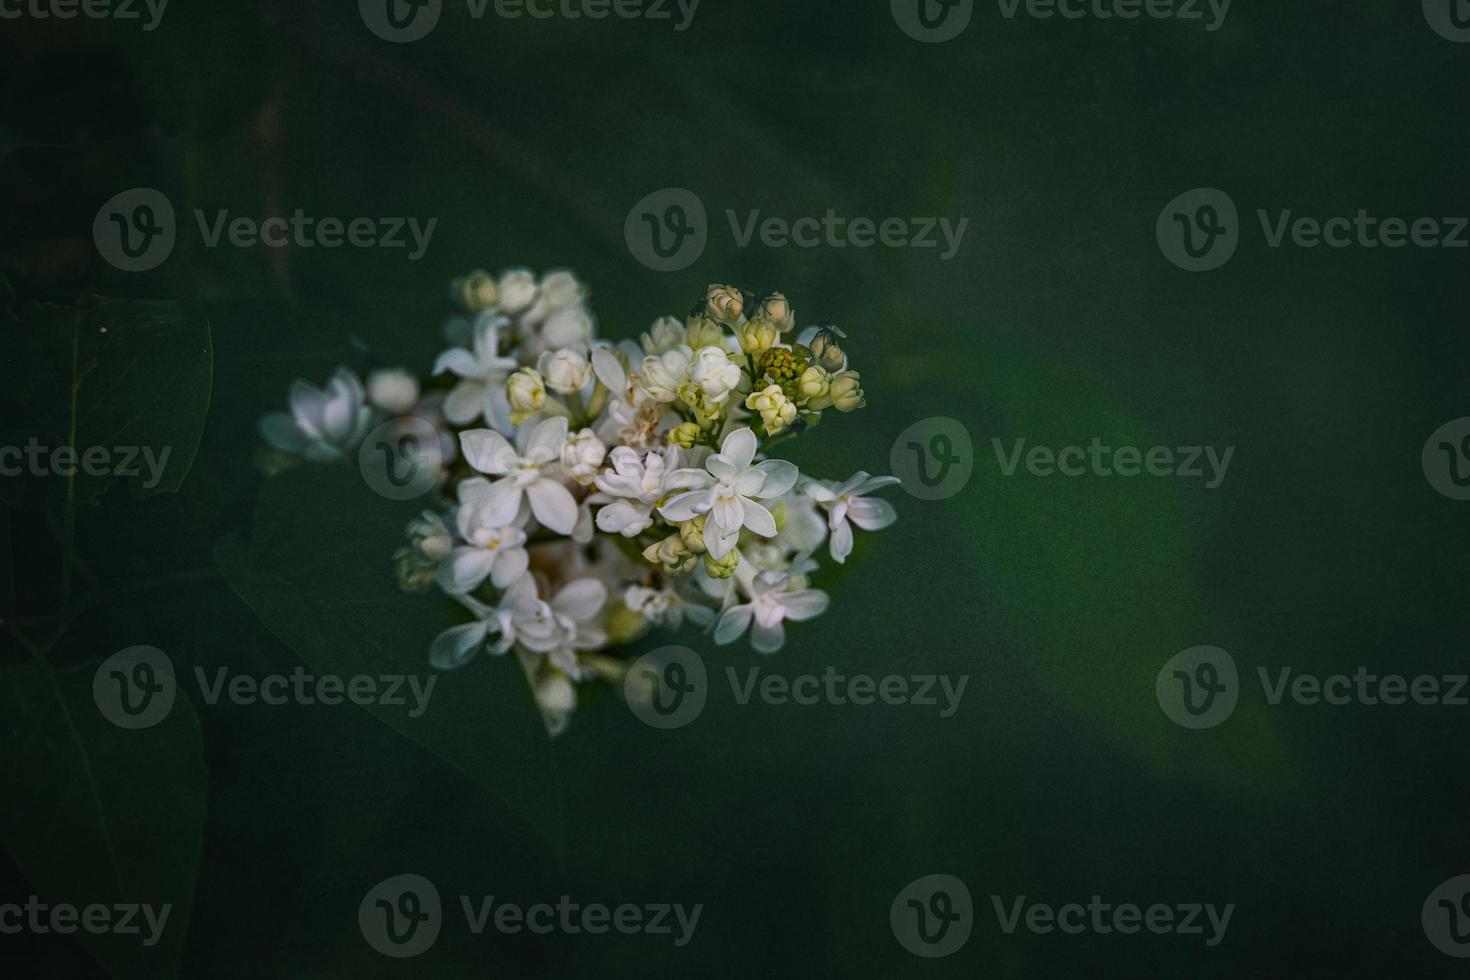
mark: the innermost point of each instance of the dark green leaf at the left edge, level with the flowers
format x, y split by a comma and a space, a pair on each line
127, 381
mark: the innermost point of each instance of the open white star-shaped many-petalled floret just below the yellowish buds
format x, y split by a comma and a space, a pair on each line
730, 491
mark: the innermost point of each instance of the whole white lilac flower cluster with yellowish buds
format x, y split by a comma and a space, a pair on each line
598, 490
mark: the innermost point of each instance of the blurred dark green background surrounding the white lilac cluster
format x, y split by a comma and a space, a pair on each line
1058, 323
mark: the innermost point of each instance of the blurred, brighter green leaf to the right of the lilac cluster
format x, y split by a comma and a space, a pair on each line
1099, 574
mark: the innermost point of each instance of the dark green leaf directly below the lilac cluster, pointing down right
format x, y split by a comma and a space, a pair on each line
320, 574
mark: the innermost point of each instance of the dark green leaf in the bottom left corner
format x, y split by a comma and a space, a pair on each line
98, 815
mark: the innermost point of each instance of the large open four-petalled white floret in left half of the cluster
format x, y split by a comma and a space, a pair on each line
527, 474
